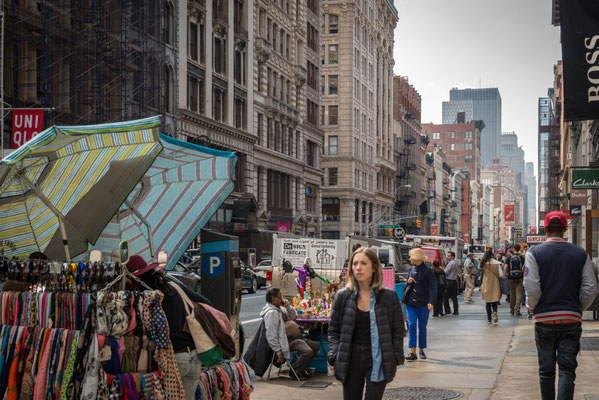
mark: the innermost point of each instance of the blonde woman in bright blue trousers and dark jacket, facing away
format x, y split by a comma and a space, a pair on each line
421, 298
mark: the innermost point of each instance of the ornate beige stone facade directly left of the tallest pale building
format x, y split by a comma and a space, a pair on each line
287, 98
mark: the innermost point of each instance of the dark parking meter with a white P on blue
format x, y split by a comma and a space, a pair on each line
221, 271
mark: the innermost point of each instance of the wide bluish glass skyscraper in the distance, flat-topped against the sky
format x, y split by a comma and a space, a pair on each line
478, 104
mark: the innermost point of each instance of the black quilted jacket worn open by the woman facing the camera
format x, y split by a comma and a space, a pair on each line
390, 323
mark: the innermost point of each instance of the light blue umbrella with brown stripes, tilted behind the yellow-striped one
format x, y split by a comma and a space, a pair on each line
174, 200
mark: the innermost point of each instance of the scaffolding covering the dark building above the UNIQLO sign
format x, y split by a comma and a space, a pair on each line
91, 61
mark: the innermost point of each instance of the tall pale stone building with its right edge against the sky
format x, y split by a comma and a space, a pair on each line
357, 115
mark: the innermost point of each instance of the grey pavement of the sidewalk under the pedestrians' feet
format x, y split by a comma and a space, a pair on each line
468, 357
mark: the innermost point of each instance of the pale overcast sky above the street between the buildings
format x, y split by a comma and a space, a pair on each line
508, 44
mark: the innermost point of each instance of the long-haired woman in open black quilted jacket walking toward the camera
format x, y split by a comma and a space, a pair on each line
366, 330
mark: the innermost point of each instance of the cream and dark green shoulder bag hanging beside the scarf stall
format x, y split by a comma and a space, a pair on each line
208, 352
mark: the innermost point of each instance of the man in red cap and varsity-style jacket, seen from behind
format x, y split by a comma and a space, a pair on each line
560, 284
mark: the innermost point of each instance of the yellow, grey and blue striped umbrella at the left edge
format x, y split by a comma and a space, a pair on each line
59, 190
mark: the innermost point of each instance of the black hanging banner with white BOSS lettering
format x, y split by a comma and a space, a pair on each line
579, 20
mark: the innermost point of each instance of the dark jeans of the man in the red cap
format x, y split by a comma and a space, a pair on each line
557, 343
